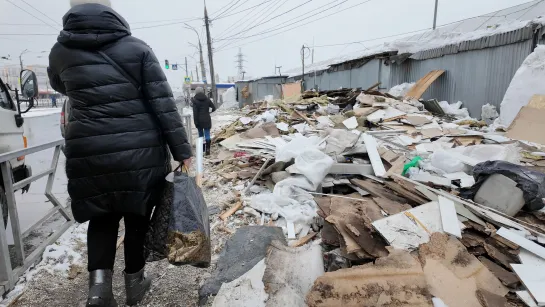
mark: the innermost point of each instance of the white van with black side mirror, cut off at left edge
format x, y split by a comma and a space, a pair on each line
11, 129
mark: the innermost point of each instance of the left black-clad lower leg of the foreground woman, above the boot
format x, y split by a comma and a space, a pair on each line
101, 242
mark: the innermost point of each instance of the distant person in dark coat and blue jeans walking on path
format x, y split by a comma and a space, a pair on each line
201, 116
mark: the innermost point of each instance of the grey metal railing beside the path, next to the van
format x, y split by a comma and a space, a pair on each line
8, 274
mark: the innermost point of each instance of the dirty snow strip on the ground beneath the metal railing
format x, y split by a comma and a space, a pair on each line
59, 258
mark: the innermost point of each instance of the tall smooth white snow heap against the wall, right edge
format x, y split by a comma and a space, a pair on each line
527, 82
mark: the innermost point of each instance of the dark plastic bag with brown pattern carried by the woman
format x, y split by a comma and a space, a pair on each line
179, 228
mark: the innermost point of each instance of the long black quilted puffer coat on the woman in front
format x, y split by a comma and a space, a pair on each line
117, 136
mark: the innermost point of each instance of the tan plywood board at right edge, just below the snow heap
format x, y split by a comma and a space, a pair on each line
528, 126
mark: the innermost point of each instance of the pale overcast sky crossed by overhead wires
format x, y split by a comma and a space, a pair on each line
343, 21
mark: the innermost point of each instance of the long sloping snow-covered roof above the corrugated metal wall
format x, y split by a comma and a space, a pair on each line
506, 26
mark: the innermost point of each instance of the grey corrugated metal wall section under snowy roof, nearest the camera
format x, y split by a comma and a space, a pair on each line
475, 77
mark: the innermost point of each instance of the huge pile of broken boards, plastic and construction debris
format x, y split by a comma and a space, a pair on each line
377, 200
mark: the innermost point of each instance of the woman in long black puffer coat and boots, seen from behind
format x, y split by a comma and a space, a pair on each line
123, 121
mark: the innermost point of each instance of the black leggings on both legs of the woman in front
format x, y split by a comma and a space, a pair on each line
102, 239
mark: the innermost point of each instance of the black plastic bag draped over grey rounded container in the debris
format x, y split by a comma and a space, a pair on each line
530, 182
